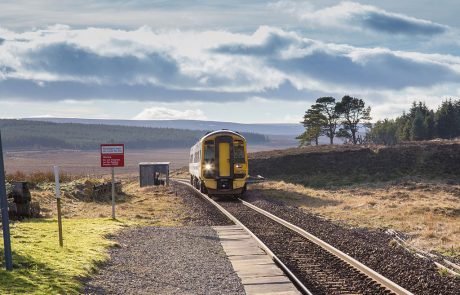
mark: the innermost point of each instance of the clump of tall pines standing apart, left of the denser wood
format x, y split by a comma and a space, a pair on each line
333, 119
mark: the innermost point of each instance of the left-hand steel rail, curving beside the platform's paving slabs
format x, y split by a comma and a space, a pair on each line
264, 247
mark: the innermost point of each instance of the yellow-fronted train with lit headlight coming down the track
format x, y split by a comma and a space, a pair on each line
219, 163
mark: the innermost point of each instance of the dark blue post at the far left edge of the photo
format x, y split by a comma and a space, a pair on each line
4, 209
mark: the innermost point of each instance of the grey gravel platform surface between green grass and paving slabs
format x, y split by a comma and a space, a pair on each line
159, 260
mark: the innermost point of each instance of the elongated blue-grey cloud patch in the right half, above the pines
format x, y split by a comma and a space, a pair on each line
384, 70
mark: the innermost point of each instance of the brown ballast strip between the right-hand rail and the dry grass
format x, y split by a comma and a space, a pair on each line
373, 248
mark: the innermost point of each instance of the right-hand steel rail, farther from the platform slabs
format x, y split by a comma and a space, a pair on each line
331, 249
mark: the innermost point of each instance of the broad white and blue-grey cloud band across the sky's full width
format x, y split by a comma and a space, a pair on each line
61, 63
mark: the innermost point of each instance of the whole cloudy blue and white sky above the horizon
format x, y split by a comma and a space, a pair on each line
238, 61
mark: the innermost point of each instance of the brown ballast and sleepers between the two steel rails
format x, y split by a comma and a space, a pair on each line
317, 269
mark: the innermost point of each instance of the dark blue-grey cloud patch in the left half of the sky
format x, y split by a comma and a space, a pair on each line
81, 63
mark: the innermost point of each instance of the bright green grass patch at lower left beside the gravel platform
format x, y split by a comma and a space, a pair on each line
42, 267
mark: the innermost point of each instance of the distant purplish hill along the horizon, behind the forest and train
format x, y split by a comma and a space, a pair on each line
291, 130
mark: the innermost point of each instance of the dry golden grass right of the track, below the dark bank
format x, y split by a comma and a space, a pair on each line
428, 211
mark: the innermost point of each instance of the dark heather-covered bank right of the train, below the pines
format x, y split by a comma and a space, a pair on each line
348, 164
